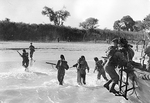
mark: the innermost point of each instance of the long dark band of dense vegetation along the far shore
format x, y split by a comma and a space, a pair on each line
47, 32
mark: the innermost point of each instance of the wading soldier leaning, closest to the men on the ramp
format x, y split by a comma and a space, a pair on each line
100, 69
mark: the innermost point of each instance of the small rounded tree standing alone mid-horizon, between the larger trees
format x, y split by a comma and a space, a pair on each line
90, 23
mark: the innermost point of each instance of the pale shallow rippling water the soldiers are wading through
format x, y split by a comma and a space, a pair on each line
40, 85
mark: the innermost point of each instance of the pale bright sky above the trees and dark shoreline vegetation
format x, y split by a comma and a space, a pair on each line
106, 11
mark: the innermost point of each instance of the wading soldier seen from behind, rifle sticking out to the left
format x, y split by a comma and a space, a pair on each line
61, 66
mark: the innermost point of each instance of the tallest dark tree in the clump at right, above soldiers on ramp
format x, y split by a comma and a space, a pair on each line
129, 22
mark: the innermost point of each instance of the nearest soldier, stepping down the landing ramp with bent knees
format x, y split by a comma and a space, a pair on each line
115, 59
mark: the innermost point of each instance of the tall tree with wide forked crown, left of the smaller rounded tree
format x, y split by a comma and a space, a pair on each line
57, 17
